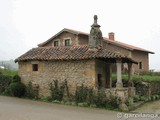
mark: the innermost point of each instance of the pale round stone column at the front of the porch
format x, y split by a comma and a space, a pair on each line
119, 83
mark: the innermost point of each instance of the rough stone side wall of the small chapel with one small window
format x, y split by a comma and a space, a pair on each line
75, 72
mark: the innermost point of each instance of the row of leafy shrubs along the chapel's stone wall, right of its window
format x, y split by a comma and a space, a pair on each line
83, 96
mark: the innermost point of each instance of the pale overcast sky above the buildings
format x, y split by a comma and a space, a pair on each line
26, 23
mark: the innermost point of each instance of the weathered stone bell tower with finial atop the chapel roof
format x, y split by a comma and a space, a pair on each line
95, 37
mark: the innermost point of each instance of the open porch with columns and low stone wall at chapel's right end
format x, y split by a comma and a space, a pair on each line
104, 79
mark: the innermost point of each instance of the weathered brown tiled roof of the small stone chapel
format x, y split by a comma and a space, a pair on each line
70, 53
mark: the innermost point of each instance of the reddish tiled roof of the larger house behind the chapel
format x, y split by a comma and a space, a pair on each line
114, 42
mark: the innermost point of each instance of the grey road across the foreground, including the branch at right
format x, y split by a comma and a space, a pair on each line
22, 109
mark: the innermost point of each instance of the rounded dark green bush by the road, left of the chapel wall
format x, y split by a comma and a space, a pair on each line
17, 89
